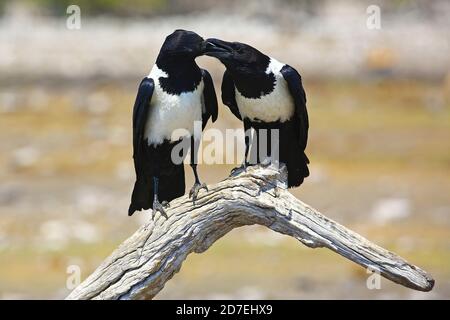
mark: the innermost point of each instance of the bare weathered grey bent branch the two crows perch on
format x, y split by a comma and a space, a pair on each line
140, 266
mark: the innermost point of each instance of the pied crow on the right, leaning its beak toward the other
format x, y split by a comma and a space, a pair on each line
265, 94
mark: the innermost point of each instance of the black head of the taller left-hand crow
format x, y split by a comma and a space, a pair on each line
181, 44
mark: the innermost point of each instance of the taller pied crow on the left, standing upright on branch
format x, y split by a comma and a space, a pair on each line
175, 95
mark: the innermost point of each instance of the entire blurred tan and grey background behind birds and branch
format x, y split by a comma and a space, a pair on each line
379, 106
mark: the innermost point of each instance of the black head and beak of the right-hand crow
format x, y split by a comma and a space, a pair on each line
236, 56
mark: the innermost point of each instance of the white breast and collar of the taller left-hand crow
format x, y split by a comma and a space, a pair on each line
170, 113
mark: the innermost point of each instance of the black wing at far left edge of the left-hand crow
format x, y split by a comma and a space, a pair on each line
140, 113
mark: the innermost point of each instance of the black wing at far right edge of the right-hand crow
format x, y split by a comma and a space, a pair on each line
295, 86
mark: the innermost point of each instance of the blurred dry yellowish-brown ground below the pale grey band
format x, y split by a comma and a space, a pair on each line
380, 154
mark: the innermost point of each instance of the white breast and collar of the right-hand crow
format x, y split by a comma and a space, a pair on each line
275, 106
